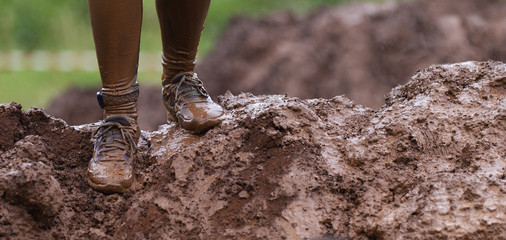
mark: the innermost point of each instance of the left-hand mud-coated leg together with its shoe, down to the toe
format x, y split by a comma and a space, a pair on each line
116, 28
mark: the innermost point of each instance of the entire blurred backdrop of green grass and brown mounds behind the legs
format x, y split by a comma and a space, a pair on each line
301, 48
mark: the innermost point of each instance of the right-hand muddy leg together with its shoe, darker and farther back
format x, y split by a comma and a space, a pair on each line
184, 96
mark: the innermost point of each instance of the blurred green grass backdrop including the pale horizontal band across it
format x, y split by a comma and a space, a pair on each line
46, 48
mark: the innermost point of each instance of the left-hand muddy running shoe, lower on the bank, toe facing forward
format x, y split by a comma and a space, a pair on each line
110, 169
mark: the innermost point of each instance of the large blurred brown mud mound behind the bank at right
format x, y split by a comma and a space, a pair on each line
361, 50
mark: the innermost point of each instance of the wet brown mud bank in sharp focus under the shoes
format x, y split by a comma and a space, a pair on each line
429, 164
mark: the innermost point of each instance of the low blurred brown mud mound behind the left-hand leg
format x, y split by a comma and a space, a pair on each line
79, 106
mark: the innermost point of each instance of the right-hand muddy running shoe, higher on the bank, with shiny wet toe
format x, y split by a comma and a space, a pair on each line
188, 103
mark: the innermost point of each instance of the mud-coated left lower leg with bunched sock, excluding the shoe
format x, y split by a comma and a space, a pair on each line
116, 28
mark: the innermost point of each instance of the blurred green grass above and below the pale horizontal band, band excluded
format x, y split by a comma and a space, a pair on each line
64, 25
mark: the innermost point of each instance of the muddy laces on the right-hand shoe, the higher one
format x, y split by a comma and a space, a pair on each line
193, 83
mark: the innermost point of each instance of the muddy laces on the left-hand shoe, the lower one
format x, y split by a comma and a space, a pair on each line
118, 148
